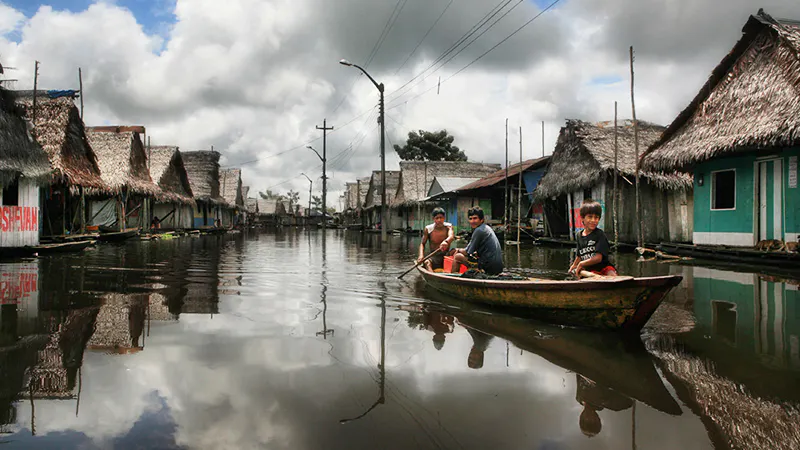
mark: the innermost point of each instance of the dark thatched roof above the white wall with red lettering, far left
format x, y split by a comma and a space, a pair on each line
20, 154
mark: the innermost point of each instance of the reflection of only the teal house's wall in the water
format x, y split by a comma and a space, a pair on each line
750, 313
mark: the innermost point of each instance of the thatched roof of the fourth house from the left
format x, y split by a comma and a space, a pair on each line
168, 171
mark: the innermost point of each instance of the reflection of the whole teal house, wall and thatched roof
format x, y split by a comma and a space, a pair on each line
747, 395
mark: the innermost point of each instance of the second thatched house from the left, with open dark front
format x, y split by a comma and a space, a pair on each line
59, 130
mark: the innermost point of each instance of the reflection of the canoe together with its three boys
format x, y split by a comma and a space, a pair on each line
613, 371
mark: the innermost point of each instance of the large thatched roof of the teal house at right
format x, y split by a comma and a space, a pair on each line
750, 102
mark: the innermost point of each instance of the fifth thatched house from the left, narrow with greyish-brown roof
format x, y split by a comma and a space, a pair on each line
202, 167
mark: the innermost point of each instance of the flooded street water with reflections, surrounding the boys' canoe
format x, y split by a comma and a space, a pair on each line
288, 340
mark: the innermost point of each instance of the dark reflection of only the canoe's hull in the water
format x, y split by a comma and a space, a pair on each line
616, 363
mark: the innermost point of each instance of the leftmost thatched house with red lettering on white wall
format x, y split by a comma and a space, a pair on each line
24, 167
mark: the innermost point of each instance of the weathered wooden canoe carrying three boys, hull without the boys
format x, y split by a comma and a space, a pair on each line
619, 303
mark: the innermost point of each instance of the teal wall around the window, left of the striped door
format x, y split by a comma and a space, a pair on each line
739, 220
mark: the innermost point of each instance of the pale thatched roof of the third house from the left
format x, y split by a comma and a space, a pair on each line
122, 160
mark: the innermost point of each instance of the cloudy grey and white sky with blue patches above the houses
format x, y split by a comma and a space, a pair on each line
253, 78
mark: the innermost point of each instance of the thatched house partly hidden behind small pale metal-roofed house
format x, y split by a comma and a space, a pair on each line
415, 182
